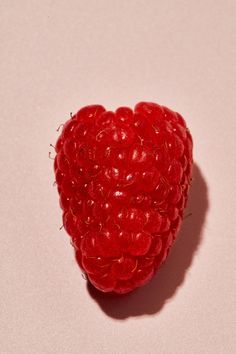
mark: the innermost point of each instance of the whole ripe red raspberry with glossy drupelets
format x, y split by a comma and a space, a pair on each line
123, 179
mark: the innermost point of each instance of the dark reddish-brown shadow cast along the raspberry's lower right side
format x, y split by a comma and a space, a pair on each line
151, 298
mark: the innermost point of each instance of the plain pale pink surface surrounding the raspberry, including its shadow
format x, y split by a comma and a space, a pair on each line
57, 56
